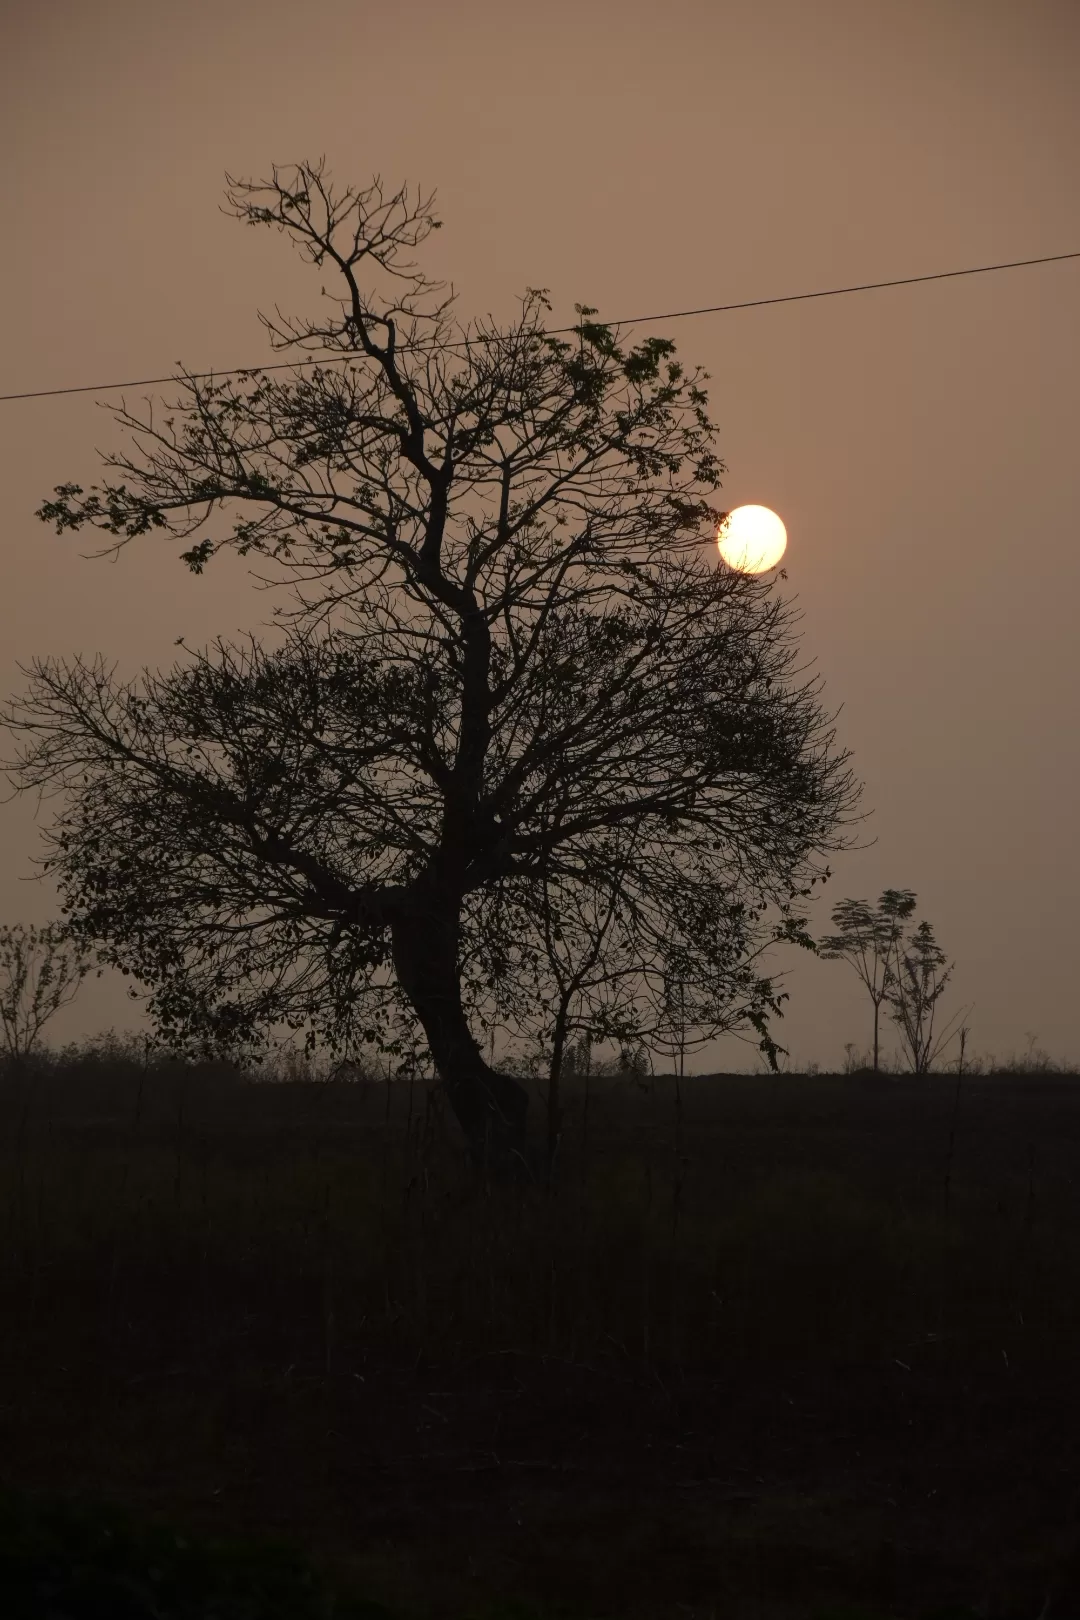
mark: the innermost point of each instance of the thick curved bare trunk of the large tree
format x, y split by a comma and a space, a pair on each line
490, 1107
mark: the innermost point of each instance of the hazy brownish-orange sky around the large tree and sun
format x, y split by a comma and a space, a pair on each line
919, 443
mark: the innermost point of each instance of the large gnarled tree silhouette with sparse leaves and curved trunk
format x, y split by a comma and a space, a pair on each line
514, 649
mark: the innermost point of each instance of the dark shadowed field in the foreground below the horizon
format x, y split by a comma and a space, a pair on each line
789, 1355
